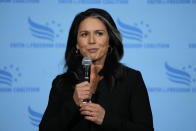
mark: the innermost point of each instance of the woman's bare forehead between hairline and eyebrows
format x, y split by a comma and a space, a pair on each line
91, 23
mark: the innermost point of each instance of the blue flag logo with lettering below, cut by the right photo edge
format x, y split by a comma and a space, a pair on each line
182, 80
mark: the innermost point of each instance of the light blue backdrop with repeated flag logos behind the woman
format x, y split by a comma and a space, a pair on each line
159, 38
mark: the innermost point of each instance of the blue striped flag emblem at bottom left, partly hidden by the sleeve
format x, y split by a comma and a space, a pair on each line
34, 117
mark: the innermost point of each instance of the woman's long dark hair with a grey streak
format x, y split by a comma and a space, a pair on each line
115, 52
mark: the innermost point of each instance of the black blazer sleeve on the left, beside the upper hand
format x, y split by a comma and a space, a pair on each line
60, 106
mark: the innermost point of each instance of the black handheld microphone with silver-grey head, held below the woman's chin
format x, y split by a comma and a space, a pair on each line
86, 63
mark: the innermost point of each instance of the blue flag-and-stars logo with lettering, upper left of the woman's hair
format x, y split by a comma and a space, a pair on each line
47, 35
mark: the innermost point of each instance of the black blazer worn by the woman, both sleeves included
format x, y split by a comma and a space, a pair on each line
126, 104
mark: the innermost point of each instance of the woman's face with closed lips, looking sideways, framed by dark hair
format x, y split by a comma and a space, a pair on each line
93, 39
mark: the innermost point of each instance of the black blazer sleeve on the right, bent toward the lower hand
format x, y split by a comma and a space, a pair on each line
139, 108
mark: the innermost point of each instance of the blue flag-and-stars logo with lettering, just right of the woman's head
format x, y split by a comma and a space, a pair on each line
135, 35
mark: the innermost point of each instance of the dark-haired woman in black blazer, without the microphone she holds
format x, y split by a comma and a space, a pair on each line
118, 96
